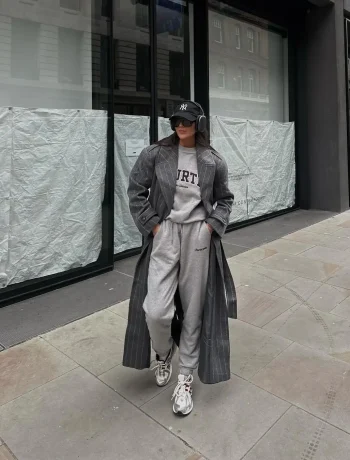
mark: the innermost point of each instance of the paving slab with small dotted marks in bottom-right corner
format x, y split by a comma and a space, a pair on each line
299, 435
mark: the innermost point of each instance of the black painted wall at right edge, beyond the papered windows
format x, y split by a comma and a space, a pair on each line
321, 110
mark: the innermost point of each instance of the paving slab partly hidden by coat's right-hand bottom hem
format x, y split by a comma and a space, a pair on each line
252, 348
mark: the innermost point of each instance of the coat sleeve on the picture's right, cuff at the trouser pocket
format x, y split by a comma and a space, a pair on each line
223, 197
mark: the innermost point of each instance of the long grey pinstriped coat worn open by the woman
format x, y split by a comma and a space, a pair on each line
151, 193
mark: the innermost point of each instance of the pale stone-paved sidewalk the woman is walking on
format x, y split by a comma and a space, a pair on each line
65, 395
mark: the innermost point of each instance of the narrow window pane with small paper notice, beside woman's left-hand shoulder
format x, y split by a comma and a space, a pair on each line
132, 107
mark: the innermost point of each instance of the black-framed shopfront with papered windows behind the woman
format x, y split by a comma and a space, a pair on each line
86, 84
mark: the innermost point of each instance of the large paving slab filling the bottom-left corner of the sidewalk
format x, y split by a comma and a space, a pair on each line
77, 416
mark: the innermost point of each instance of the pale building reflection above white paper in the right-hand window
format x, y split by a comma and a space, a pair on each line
258, 68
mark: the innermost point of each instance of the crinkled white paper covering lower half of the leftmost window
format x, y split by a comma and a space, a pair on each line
53, 165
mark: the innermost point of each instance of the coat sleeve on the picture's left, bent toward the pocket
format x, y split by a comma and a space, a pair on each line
140, 180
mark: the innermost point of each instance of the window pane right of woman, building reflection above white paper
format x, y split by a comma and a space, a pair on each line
249, 112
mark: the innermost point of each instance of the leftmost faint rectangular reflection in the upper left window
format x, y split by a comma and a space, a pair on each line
24, 49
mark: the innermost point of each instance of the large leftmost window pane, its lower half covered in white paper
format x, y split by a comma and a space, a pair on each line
53, 138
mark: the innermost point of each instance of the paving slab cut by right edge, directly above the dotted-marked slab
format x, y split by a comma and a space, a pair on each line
311, 380
